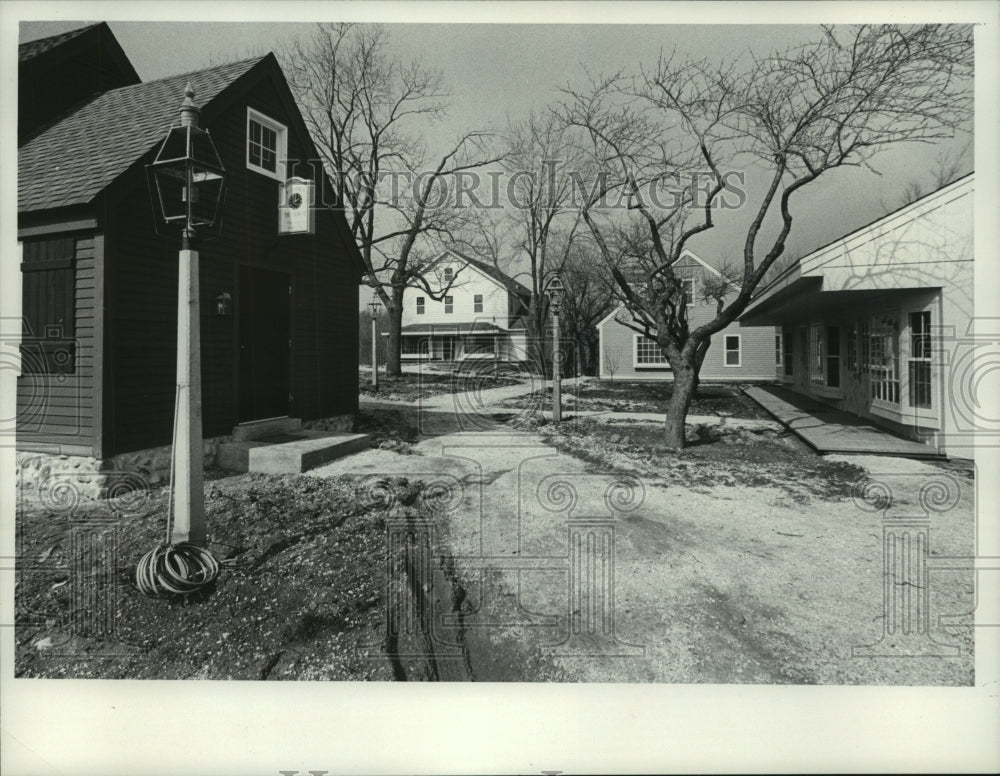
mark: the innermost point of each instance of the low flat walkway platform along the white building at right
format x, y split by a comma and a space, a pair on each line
828, 430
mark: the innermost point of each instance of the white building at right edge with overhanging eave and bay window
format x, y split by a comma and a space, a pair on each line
880, 323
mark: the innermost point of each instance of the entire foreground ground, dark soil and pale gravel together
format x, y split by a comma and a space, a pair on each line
514, 549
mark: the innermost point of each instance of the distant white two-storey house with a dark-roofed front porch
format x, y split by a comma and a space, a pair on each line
480, 317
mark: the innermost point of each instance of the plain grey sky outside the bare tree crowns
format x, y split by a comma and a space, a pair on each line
496, 71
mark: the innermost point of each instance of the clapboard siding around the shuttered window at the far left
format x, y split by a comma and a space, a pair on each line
57, 411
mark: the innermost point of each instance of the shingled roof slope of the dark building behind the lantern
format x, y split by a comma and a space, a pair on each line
80, 155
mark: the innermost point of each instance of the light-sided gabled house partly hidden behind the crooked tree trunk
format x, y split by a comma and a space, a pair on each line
737, 353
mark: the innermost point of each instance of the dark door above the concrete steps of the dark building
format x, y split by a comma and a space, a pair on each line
265, 346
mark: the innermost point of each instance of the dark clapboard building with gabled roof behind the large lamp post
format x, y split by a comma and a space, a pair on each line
99, 285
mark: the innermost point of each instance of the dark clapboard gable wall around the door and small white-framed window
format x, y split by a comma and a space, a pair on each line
142, 299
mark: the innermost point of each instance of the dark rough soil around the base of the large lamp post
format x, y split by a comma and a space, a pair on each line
301, 589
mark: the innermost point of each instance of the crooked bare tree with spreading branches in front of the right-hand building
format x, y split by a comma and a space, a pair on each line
793, 115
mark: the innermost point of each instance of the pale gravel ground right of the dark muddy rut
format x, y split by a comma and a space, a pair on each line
745, 559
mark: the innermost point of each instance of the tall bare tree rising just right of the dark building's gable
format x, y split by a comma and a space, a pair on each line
366, 109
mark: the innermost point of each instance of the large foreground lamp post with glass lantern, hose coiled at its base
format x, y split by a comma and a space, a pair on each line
187, 183
